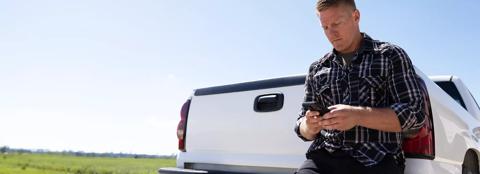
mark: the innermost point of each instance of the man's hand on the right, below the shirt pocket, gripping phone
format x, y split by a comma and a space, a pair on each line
341, 117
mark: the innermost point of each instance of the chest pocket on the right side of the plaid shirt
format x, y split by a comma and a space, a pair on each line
372, 90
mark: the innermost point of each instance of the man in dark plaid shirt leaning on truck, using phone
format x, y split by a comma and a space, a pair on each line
371, 90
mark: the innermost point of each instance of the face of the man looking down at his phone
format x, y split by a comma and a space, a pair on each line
340, 25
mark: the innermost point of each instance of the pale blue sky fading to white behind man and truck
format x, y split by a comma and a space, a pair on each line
111, 76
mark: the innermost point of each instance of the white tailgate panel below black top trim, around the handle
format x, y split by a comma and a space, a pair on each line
222, 126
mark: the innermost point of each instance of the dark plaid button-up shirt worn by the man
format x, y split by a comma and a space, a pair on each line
380, 75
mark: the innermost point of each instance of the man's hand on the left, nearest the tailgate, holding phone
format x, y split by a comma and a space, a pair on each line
310, 126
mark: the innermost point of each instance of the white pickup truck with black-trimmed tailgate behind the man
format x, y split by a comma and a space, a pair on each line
248, 128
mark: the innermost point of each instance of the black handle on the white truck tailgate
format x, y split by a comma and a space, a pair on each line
268, 102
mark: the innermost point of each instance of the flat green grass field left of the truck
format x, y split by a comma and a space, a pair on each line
63, 164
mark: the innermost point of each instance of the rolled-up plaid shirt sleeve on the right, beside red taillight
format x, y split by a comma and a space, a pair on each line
405, 91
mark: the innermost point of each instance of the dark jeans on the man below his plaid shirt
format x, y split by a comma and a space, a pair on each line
322, 162
